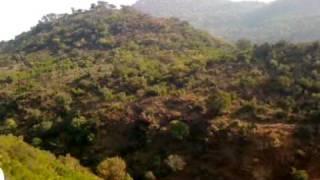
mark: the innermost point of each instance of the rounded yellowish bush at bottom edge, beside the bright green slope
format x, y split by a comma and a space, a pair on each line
113, 169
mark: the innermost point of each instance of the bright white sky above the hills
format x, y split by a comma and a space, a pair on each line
17, 16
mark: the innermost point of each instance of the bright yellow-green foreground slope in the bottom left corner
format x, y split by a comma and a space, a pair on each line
21, 161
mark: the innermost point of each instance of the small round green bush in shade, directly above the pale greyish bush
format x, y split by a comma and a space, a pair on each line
179, 130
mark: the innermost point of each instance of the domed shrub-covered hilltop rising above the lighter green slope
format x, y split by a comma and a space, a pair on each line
104, 28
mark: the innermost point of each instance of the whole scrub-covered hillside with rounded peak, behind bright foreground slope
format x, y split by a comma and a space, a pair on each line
136, 97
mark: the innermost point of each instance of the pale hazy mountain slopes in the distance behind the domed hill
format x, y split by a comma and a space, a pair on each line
292, 20
